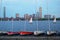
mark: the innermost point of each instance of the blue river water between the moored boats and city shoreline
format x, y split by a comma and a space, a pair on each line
19, 25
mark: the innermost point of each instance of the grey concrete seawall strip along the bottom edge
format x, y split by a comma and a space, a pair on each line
29, 38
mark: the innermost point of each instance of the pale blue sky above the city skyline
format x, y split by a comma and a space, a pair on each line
29, 6
